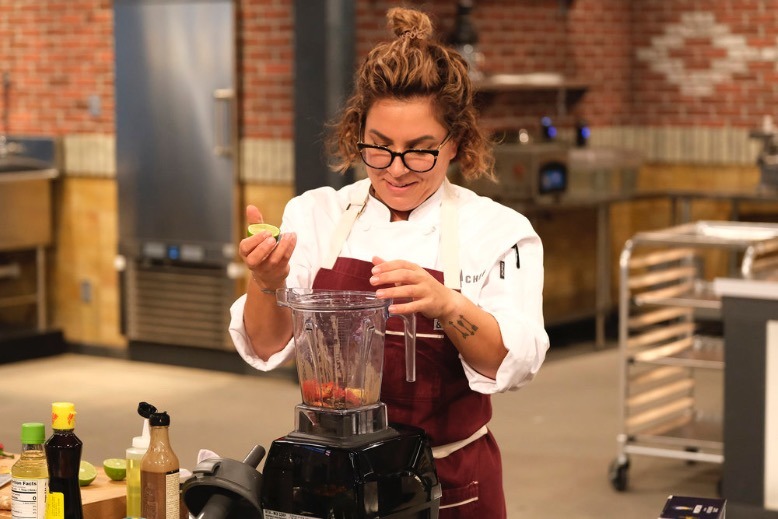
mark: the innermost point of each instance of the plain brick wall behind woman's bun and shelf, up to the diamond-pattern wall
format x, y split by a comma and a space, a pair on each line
590, 41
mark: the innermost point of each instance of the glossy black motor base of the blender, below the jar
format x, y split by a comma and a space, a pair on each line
388, 474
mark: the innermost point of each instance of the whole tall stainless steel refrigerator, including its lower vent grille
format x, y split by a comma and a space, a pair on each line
176, 173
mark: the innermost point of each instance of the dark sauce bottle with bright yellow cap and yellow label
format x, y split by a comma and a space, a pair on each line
63, 456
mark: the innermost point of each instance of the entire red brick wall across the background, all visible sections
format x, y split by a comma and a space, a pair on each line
648, 63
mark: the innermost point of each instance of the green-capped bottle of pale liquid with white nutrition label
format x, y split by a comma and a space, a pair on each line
30, 475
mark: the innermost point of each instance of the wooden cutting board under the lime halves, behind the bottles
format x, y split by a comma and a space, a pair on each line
102, 499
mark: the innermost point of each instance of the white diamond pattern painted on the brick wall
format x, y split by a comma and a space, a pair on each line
702, 25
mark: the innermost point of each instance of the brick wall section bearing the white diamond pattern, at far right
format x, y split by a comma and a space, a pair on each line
704, 63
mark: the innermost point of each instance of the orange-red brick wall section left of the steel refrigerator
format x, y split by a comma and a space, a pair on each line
59, 57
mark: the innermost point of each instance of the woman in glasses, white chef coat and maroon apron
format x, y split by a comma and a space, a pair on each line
469, 268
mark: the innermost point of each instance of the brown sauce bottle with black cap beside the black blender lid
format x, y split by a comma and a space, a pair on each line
159, 478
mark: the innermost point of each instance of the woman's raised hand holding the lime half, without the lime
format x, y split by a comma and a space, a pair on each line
267, 259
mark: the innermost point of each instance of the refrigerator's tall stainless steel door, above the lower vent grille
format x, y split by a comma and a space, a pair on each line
175, 127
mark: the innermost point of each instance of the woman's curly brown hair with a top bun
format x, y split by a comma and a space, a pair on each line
410, 66
